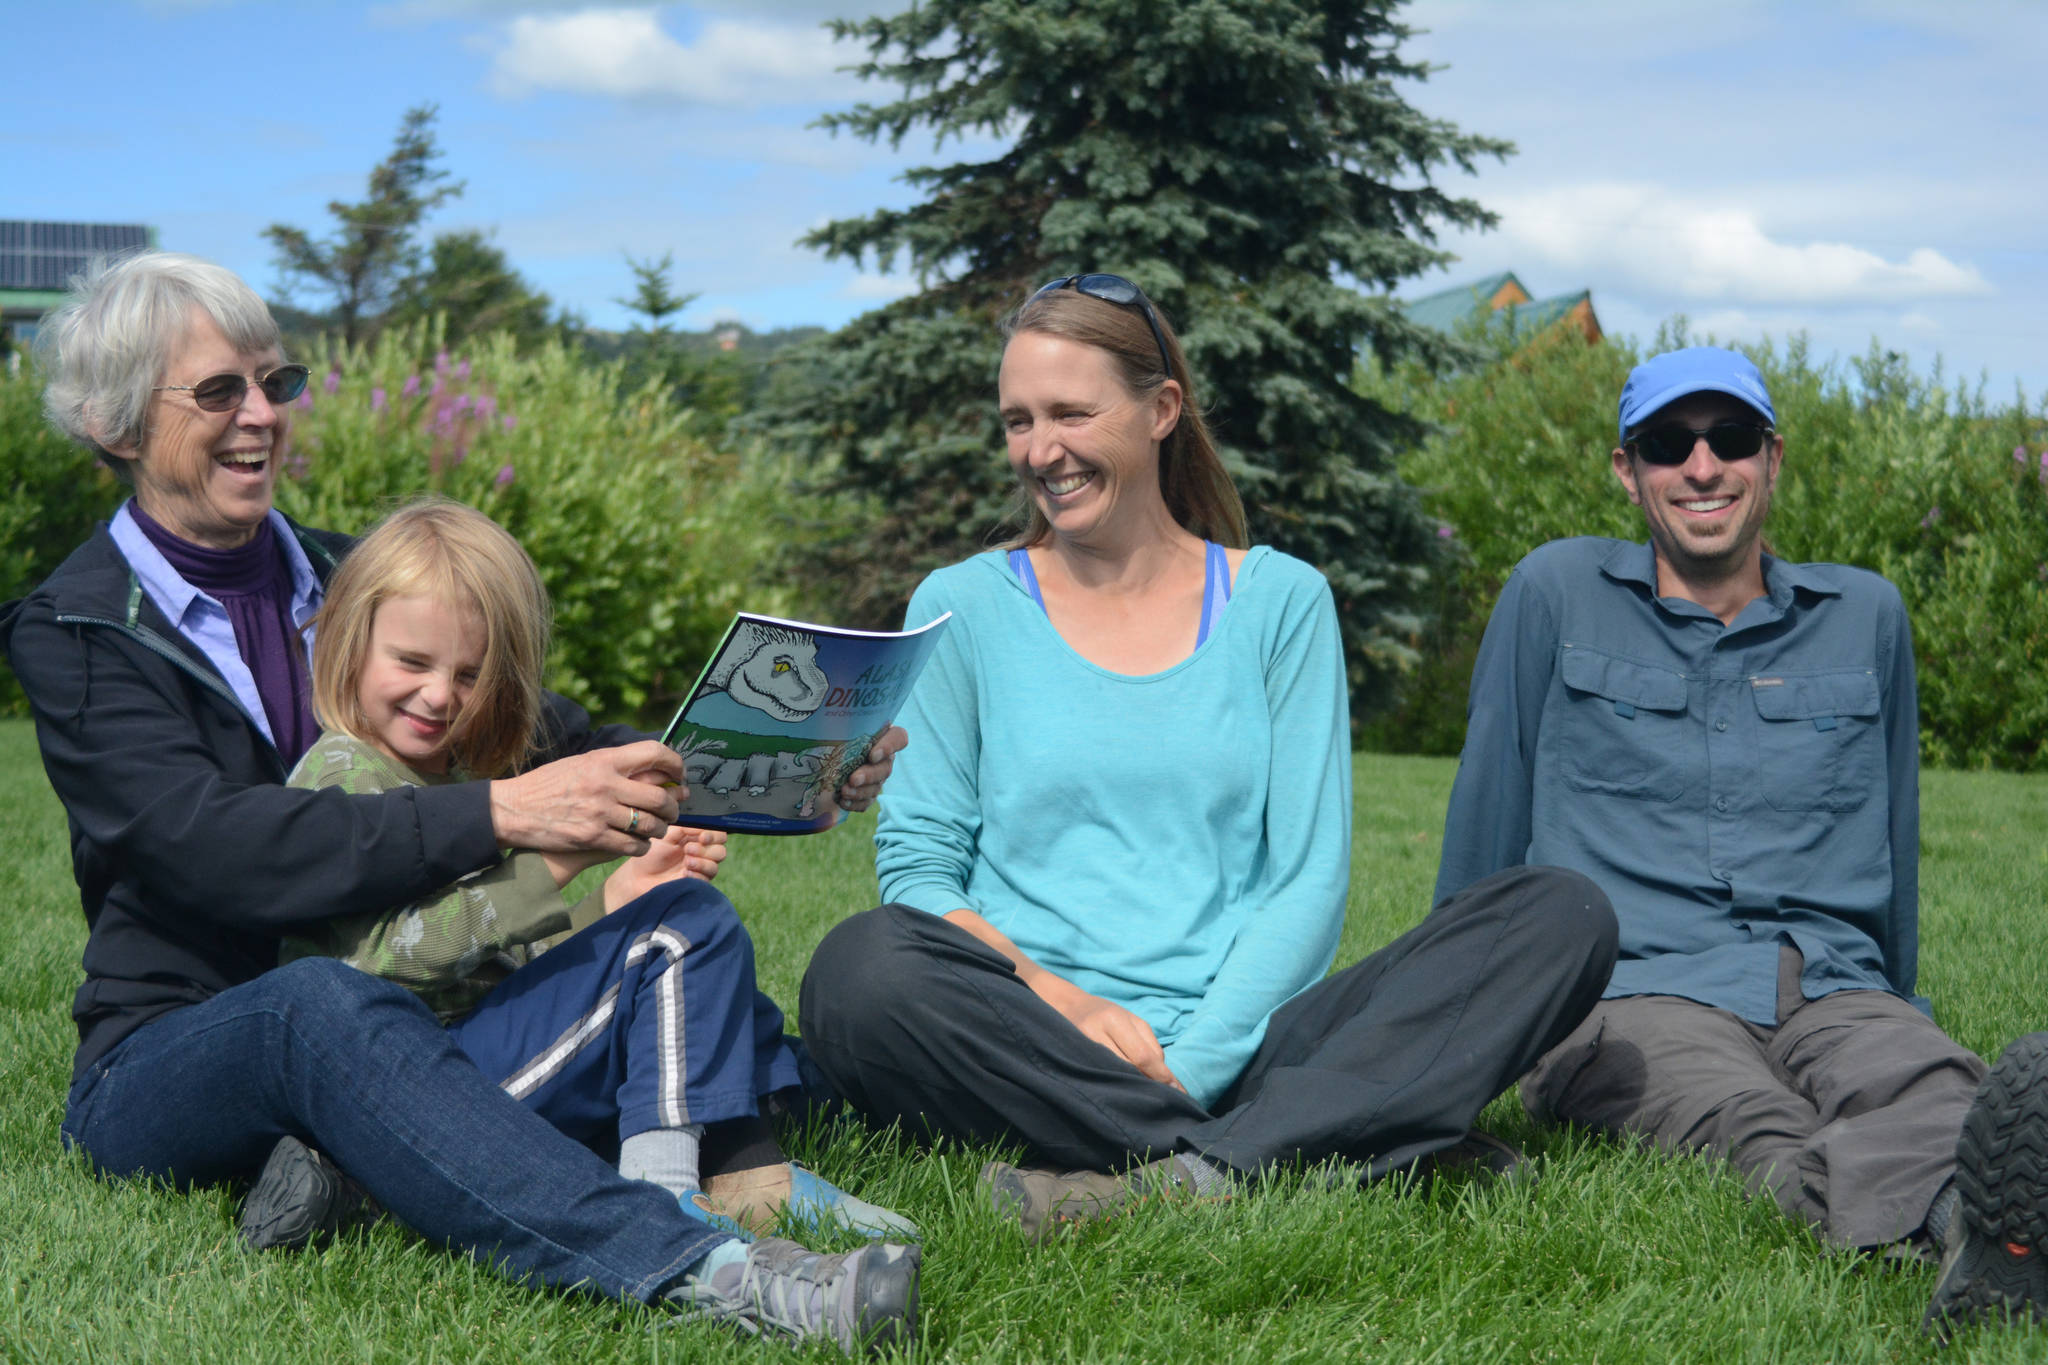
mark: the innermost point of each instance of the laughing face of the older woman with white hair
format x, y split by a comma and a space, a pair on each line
210, 476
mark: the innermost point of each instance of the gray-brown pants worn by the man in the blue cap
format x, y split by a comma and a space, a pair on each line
1846, 1112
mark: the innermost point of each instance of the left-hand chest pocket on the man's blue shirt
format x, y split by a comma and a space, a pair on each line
1623, 732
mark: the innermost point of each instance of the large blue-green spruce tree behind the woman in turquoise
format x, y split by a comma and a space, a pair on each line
1250, 165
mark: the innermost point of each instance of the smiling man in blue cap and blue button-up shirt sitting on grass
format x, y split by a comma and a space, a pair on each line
1730, 746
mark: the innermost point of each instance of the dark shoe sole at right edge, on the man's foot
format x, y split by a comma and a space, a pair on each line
1994, 1264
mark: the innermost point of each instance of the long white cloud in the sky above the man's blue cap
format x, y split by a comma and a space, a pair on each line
1682, 247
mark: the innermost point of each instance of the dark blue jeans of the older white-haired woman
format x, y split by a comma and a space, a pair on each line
361, 1069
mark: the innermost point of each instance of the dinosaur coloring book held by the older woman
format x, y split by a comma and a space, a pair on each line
783, 713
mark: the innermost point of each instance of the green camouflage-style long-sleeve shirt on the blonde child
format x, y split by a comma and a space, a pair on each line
454, 946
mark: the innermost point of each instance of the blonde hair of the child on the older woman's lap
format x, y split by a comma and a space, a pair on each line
452, 554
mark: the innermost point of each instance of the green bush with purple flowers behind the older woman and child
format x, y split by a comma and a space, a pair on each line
646, 537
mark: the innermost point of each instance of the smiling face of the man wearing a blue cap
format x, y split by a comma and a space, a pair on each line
1707, 515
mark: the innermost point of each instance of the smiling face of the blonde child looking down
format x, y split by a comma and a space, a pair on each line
423, 664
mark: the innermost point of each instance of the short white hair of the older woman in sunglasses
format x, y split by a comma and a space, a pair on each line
112, 341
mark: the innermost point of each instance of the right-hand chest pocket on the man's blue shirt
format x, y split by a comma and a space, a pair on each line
1818, 740
